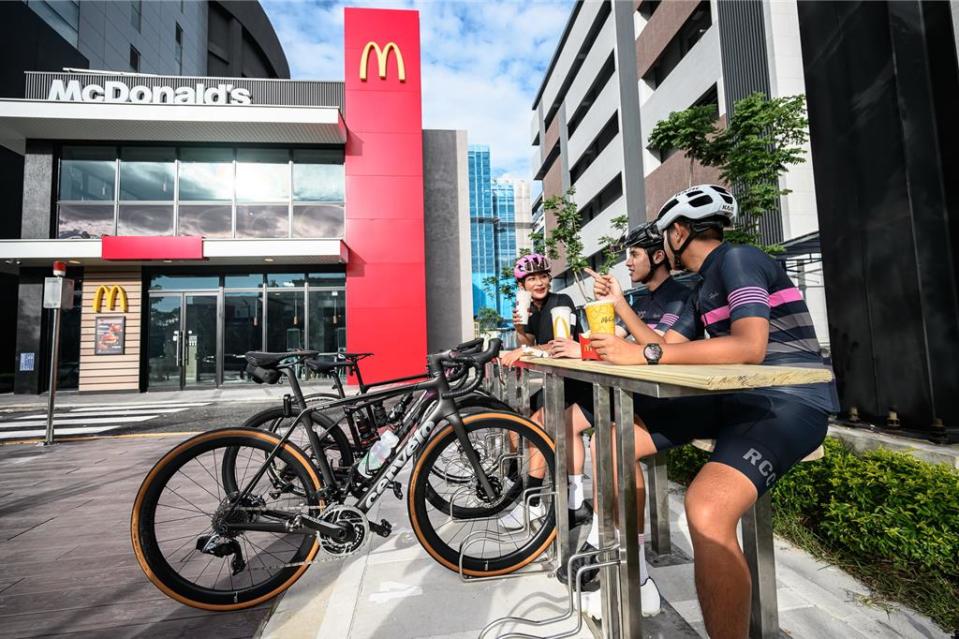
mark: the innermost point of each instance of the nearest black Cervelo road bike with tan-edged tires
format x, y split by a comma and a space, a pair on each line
231, 518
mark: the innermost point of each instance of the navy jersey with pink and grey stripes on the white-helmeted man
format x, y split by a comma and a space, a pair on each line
741, 281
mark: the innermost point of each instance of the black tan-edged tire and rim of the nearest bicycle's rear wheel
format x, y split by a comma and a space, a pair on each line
147, 548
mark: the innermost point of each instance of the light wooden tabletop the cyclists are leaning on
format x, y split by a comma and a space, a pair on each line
709, 377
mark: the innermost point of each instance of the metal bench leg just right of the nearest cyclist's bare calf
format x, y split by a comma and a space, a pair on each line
758, 548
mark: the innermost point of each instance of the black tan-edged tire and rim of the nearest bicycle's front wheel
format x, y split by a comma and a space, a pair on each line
418, 505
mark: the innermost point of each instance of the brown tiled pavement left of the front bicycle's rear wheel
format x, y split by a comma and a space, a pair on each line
66, 564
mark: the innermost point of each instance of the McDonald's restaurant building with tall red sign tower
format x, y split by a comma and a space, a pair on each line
204, 217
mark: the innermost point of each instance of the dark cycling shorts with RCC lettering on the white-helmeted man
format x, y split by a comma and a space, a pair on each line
759, 435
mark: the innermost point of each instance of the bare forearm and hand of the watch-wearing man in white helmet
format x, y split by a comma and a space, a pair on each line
746, 344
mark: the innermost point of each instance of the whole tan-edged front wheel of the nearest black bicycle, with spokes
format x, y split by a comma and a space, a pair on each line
442, 535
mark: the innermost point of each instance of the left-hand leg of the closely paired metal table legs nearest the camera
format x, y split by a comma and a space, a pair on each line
603, 474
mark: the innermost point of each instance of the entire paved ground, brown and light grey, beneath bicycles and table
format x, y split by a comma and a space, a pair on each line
67, 568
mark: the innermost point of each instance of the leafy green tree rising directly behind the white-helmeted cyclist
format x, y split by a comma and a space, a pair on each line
763, 138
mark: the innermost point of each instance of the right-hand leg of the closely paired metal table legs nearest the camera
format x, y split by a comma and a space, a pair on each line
629, 526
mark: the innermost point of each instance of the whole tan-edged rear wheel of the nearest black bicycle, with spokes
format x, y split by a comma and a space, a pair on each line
182, 513
